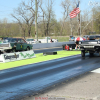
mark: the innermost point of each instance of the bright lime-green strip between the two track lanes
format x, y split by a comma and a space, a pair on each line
39, 58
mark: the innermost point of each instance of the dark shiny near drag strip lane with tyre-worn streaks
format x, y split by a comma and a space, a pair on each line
16, 83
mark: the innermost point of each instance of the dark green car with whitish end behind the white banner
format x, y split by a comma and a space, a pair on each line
14, 44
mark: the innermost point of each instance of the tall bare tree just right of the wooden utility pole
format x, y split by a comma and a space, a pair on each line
47, 15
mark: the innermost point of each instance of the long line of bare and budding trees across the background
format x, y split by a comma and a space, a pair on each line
48, 24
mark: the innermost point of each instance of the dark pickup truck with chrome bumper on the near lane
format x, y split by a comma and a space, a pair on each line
90, 46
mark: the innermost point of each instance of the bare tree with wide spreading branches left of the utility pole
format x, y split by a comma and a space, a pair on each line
25, 18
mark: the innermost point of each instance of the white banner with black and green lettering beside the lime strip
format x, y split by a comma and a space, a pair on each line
8, 57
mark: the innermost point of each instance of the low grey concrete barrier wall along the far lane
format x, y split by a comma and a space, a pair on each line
50, 45
